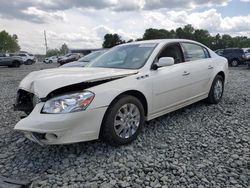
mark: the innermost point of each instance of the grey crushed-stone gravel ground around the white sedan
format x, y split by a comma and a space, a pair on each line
199, 146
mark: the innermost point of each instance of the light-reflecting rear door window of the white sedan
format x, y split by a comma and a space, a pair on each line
194, 52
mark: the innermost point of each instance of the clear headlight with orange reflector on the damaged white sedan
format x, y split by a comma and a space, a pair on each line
68, 103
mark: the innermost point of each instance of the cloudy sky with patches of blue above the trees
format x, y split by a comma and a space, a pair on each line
83, 23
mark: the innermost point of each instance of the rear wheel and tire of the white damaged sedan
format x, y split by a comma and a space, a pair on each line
216, 90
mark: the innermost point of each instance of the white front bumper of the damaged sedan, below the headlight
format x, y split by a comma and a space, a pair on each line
61, 128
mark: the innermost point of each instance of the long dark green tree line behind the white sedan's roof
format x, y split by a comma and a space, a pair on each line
187, 32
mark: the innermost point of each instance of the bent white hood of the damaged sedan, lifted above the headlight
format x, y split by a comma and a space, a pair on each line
42, 82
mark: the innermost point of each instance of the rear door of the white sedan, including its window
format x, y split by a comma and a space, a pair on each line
200, 67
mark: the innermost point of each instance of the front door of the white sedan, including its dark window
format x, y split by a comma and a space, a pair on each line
171, 84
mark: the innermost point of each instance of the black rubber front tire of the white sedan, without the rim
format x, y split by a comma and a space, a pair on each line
110, 118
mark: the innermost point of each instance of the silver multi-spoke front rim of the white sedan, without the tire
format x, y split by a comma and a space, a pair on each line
127, 120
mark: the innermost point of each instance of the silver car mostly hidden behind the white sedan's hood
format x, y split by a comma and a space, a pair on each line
85, 60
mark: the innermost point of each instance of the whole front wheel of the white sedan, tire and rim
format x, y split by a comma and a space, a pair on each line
123, 121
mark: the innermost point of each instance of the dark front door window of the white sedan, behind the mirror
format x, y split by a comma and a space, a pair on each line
173, 51
